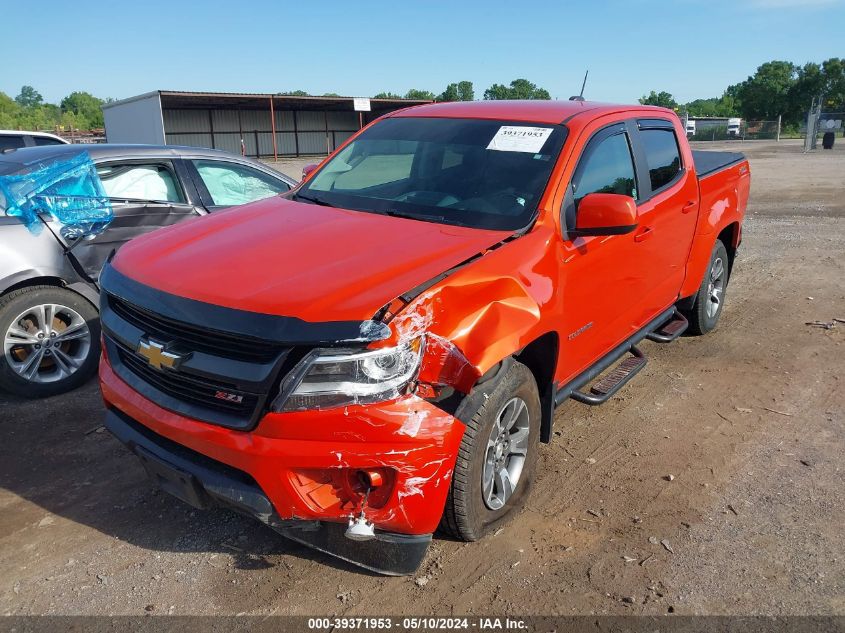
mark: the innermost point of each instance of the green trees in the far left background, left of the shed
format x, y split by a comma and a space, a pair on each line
28, 111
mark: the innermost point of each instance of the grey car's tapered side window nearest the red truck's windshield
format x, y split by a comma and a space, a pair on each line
223, 183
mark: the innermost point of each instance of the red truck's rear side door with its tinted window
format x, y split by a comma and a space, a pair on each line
667, 210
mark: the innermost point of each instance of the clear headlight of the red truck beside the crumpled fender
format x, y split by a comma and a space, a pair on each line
335, 378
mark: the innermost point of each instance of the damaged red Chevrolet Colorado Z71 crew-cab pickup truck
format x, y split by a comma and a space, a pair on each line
380, 351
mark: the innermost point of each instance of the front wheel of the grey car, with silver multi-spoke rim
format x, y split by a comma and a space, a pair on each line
38, 361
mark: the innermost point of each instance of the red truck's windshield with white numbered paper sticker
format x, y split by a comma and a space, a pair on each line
469, 172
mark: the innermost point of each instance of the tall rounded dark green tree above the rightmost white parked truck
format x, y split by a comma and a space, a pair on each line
767, 93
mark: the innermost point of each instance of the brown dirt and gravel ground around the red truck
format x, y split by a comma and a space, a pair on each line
712, 484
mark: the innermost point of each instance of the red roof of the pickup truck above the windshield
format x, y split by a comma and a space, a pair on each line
534, 111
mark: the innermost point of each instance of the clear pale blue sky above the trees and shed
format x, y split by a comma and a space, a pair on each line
692, 48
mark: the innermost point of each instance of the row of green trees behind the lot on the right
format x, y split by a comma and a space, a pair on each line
777, 88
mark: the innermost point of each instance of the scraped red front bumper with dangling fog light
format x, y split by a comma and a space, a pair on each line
285, 471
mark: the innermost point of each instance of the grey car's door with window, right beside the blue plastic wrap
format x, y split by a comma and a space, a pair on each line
145, 194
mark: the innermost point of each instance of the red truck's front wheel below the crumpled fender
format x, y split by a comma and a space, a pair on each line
470, 511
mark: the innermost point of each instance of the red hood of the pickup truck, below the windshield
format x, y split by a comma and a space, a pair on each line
287, 258
